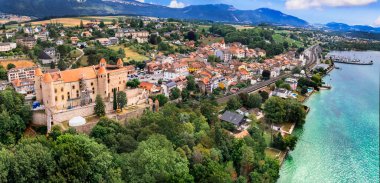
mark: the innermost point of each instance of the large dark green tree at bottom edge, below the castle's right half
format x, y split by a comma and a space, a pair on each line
81, 159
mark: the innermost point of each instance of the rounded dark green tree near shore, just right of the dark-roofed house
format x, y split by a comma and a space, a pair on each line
274, 110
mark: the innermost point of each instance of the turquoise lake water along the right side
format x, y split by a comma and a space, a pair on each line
340, 140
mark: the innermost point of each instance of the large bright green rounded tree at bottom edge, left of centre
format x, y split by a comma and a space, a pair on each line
155, 160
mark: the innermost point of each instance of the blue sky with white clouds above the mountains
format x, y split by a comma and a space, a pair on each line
353, 12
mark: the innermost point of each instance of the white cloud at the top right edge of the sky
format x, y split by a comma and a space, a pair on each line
306, 4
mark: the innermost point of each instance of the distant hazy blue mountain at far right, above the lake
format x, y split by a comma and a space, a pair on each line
334, 26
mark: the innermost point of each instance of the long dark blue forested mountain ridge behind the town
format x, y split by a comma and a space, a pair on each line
214, 12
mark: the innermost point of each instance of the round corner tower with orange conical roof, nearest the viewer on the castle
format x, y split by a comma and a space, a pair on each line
48, 90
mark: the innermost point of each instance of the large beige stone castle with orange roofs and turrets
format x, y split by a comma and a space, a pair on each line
78, 87
